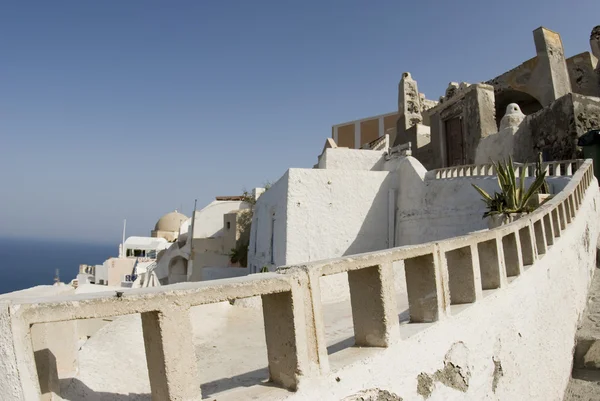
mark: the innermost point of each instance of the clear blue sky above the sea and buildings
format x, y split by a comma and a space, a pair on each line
130, 109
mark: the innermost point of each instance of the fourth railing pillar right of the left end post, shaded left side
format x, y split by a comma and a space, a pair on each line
428, 301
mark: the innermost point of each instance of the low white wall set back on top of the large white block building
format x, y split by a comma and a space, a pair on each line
351, 159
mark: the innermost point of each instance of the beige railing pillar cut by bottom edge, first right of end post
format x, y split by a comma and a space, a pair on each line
170, 355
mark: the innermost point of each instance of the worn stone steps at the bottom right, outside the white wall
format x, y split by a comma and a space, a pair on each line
585, 378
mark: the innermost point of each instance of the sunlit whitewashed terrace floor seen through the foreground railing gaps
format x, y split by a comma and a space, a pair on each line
230, 349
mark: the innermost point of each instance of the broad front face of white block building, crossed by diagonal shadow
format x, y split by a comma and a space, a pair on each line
333, 213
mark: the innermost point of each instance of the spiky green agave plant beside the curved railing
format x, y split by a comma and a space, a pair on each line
513, 198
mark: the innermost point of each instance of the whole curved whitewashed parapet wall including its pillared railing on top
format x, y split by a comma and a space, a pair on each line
492, 316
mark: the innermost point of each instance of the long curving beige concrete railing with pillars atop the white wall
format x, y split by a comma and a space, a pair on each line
438, 275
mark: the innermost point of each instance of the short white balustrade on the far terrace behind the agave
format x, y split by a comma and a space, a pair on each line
552, 169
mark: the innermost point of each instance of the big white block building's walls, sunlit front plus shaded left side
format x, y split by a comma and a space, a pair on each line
321, 214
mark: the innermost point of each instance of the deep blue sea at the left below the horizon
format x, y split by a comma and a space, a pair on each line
27, 262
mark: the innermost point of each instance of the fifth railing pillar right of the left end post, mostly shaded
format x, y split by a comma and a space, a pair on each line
463, 275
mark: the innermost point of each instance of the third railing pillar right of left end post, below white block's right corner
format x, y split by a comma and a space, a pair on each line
374, 309
